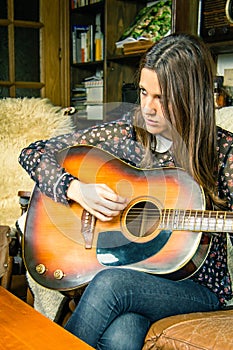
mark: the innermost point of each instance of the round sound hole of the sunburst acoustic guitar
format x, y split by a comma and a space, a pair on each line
143, 218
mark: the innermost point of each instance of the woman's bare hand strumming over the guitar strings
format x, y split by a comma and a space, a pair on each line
98, 199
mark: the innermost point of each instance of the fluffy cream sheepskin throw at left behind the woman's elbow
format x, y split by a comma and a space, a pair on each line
22, 121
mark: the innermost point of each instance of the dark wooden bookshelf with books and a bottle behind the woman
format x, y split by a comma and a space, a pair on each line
114, 69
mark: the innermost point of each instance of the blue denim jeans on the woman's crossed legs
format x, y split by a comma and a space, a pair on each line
119, 305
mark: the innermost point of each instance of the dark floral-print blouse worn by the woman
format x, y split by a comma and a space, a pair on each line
118, 137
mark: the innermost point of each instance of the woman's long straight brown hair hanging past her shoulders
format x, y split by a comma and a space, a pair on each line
185, 70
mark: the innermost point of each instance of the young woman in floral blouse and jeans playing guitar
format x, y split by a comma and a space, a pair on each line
174, 126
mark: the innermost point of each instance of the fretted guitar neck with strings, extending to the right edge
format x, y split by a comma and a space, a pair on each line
197, 220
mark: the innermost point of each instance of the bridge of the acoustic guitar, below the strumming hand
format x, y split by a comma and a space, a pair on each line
87, 229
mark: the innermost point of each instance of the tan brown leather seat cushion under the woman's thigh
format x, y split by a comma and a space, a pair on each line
201, 330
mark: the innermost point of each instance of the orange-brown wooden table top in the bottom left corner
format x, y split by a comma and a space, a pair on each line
23, 328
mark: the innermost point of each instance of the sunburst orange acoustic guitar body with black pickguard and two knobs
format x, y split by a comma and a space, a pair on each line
140, 237
